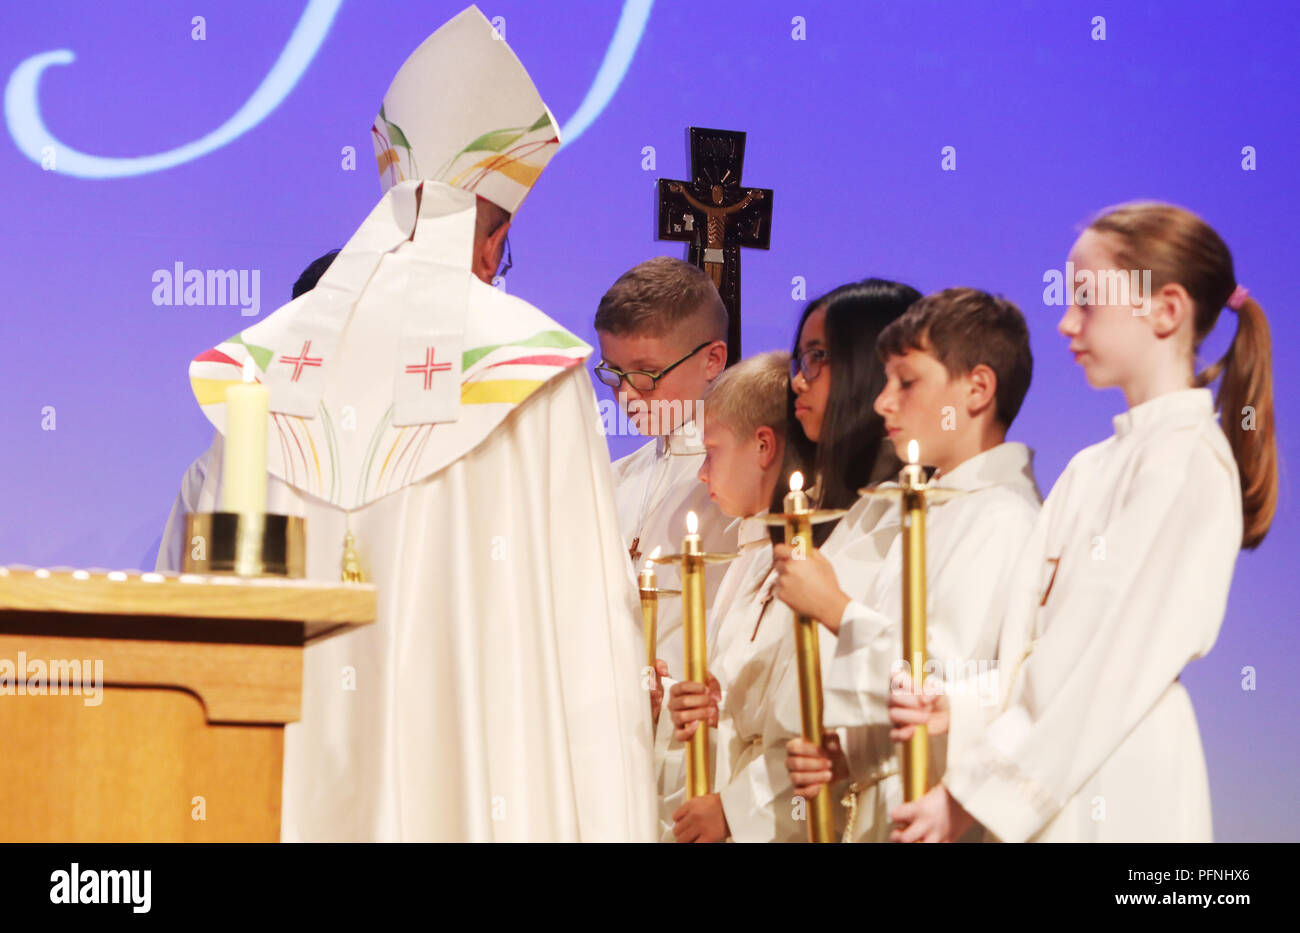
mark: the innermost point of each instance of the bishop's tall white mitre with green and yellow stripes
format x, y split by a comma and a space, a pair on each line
463, 111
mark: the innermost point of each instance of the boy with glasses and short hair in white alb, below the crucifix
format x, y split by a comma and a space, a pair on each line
662, 329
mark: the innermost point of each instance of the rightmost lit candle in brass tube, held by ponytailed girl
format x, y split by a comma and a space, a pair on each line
916, 750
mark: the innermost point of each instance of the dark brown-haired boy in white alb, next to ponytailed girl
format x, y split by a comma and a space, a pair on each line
959, 367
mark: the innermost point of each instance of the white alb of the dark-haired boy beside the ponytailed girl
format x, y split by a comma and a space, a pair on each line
972, 544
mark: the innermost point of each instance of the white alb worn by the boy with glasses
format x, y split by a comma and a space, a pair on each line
655, 488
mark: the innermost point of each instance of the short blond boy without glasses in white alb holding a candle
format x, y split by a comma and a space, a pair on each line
751, 641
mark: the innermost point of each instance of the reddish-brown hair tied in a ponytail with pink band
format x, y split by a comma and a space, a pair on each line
1180, 248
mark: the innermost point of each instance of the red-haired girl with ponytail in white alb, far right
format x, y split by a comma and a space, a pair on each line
1126, 575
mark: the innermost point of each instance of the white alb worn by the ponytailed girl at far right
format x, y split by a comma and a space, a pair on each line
1124, 582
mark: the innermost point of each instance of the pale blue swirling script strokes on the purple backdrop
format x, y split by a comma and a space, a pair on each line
32, 136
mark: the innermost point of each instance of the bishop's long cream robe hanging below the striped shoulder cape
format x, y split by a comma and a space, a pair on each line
499, 695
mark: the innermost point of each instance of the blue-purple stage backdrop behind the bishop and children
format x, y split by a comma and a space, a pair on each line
937, 144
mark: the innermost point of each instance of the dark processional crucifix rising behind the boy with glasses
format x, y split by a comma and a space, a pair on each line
717, 216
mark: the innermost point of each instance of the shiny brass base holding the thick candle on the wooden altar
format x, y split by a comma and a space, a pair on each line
246, 544
